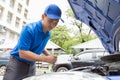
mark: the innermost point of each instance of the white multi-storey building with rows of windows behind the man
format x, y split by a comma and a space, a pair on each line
13, 15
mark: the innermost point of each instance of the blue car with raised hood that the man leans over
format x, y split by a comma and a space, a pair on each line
103, 17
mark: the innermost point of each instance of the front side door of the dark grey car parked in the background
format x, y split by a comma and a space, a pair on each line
84, 59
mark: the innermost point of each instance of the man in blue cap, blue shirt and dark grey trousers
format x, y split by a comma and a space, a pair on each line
33, 39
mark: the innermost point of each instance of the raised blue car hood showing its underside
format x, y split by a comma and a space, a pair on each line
103, 16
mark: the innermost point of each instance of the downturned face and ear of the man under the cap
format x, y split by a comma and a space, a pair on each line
48, 23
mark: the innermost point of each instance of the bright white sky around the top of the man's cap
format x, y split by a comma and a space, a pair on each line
37, 7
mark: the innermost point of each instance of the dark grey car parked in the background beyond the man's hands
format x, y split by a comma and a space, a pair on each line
82, 59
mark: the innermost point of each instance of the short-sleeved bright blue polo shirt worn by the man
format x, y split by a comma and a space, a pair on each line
32, 38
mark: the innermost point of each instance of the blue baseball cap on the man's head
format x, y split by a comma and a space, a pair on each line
53, 11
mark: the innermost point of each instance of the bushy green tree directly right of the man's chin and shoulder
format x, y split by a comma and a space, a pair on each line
60, 36
